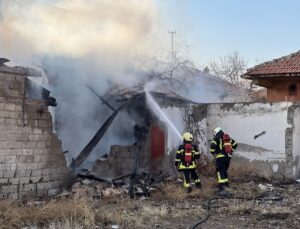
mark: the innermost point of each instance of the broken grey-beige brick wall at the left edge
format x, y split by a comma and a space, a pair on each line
32, 163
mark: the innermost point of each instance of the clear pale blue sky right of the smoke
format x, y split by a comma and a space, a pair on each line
260, 30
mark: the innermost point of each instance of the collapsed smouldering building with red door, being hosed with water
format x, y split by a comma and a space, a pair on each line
153, 132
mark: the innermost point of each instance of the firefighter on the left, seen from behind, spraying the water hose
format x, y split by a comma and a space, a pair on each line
185, 161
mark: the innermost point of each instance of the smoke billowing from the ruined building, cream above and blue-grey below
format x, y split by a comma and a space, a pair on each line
97, 43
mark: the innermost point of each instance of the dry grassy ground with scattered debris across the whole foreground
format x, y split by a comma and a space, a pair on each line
249, 204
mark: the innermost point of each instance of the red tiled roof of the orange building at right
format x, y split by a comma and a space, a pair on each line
286, 65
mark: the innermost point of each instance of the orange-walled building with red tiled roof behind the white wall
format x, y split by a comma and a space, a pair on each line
280, 76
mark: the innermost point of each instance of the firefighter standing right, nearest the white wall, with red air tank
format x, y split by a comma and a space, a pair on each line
222, 147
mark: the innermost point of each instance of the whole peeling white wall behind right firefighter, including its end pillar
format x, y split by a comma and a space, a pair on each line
267, 133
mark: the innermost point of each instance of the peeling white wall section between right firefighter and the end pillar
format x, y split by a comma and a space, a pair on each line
260, 130
